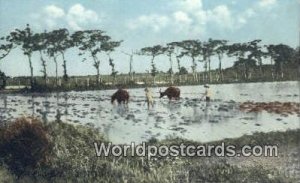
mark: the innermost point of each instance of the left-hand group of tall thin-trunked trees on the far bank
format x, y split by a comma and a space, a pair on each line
54, 45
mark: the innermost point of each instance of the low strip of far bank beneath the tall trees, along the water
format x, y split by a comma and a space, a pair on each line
141, 80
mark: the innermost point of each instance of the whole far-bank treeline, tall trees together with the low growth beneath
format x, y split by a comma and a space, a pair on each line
248, 65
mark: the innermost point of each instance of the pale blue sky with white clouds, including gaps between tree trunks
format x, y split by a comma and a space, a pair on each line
143, 23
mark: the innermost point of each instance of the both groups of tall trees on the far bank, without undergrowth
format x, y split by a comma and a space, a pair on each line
96, 44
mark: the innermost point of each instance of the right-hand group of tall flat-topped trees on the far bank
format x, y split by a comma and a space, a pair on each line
248, 56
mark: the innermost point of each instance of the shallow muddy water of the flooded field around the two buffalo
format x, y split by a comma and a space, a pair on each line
189, 117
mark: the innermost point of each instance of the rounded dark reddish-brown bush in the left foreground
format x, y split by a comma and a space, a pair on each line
24, 144
